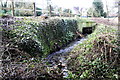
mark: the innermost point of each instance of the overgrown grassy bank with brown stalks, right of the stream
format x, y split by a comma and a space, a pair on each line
95, 58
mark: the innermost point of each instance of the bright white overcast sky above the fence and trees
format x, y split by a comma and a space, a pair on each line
72, 3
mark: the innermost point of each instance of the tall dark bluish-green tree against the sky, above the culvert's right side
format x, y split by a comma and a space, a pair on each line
98, 7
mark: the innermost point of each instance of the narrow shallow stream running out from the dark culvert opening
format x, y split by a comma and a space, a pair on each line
58, 59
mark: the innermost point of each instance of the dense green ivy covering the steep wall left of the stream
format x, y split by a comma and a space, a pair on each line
44, 37
